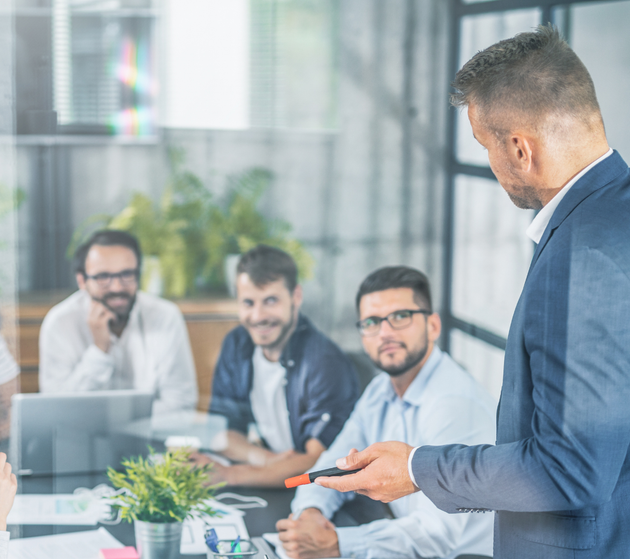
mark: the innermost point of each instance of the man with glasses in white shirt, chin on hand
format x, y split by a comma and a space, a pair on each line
108, 335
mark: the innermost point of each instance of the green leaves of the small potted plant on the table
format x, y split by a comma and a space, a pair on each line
170, 489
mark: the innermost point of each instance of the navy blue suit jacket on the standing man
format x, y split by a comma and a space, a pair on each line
559, 475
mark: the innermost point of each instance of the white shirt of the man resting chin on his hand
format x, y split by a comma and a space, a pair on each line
152, 354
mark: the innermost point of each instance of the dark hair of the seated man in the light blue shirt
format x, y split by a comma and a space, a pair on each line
394, 277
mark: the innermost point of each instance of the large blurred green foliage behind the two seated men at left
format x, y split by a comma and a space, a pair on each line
191, 234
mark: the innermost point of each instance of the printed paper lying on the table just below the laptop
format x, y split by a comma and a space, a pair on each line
77, 510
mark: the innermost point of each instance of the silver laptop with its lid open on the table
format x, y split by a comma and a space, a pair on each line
75, 432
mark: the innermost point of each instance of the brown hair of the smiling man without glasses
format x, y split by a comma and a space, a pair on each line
264, 264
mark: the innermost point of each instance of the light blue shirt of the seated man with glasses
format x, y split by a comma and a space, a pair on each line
443, 405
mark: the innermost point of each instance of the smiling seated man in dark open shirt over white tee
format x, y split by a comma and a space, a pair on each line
278, 379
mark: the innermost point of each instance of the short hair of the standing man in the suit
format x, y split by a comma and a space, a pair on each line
534, 73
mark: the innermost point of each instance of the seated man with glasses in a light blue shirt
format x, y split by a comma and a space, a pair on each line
422, 398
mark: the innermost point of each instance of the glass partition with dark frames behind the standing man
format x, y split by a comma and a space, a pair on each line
487, 253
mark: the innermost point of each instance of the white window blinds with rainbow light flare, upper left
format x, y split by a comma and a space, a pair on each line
104, 78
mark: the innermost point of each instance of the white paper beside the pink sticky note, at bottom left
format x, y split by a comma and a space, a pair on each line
77, 545
